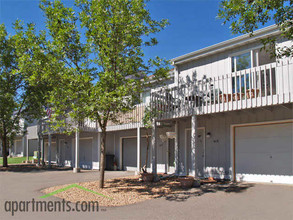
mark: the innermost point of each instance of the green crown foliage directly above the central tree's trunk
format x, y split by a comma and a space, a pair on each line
116, 30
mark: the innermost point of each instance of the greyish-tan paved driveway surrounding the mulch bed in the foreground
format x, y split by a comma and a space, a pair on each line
256, 201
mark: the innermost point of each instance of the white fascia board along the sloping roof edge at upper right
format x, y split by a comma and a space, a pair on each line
272, 30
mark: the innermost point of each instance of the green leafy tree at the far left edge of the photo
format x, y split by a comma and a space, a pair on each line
22, 92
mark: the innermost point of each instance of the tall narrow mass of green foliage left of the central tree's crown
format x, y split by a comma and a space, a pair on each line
72, 74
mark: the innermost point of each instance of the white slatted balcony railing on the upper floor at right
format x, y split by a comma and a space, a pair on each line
265, 85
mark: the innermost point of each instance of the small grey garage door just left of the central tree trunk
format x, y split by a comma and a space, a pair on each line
85, 153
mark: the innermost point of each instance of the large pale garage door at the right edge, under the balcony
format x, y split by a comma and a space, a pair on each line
263, 153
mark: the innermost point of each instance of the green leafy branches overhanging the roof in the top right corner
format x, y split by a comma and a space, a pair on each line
246, 16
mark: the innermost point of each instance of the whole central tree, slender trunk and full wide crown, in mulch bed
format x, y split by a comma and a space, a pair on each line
104, 70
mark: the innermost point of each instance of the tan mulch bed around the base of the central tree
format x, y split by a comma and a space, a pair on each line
129, 190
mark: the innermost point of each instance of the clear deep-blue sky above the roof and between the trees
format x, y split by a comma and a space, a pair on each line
193, 23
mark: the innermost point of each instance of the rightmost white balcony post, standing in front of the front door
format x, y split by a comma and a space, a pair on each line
194, 144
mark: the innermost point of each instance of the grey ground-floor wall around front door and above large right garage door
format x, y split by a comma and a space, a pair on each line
217, 147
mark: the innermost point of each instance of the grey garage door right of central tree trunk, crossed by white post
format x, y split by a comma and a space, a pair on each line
129, 153
